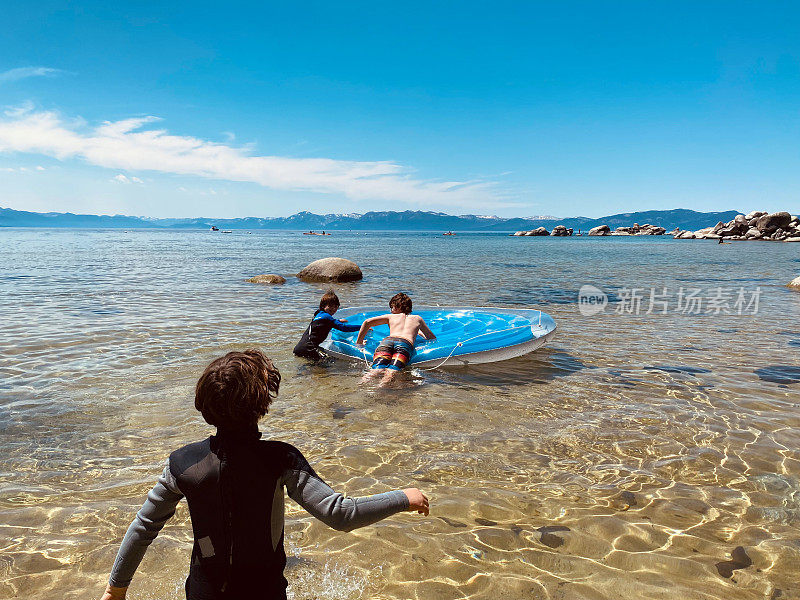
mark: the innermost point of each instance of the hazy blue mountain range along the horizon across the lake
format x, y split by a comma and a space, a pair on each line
376, 221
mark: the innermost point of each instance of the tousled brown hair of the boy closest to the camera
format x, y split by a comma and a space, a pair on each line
235, 390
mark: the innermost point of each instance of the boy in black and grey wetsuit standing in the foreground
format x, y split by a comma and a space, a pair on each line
234, 484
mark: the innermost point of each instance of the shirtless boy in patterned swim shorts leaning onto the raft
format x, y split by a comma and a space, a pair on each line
394, 352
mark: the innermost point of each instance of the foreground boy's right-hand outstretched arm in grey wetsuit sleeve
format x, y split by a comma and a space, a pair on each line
342, 513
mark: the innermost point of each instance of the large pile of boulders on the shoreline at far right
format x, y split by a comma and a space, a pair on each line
757, 225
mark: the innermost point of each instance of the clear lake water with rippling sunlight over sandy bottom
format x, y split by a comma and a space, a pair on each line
630, 457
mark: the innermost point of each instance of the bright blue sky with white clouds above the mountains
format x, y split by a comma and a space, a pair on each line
507, 108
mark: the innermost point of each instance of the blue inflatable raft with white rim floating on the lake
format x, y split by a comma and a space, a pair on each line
464, 336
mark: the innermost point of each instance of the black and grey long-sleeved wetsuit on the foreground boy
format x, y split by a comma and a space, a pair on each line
233, 483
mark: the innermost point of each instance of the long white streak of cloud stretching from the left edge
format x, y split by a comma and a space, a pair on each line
129, 145
